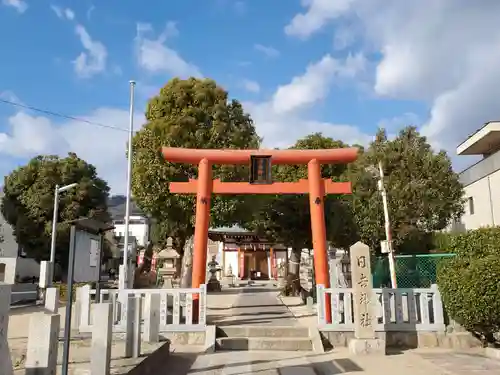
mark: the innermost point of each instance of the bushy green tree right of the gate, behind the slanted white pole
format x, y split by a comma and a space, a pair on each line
424, 193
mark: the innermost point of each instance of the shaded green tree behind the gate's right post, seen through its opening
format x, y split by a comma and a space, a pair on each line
286, 218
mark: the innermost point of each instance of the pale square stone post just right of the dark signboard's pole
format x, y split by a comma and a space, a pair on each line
102, 329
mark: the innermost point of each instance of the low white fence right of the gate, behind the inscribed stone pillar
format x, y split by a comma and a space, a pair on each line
416, 309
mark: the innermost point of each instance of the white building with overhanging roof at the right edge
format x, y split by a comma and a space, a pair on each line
481, 180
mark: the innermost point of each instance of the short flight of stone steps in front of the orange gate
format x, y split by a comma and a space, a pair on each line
282, 338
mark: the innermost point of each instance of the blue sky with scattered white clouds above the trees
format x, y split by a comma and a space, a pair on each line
341, 67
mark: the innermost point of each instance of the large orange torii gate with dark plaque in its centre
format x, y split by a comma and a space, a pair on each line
261, 183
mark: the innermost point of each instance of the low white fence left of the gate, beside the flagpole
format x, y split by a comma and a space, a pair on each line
176, 307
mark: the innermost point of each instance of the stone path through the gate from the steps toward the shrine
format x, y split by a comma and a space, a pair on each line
255, 305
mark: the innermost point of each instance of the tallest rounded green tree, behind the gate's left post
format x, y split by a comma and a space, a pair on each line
193, 113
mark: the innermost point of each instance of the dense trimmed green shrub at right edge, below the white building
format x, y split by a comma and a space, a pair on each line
470, 282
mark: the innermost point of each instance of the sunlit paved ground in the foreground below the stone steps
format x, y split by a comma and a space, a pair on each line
297, 363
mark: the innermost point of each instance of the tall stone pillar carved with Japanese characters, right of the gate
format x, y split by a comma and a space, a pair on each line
365, 341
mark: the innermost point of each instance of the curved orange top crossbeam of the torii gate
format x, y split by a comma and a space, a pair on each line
232, 157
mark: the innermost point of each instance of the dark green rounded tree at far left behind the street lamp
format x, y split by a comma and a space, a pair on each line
29, 200
